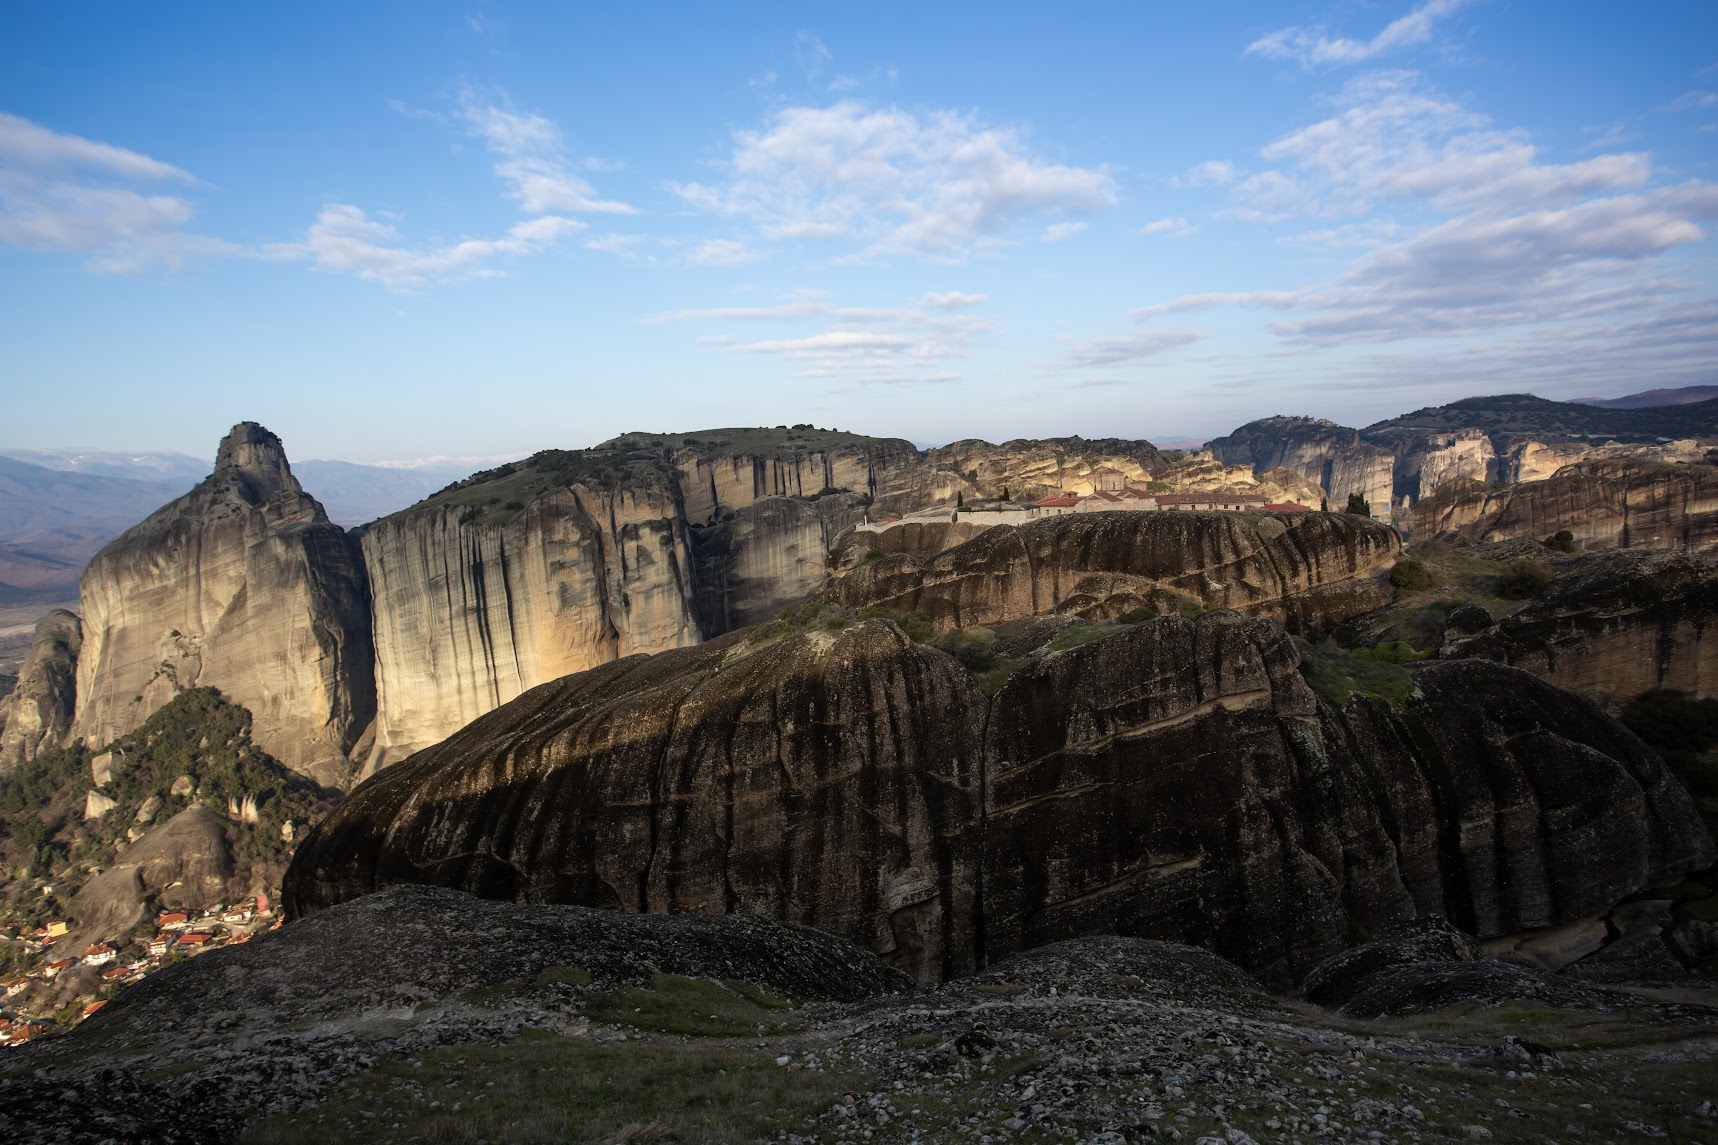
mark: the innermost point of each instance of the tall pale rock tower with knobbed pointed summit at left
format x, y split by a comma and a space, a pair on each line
241, 585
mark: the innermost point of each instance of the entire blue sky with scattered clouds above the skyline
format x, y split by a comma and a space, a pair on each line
405, 230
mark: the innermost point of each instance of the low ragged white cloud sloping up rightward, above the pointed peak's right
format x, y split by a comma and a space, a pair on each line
344, 238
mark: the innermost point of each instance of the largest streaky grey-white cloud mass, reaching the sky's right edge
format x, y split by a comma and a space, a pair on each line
1496, 248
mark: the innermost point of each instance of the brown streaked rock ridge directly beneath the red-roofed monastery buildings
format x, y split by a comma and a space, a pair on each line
1310, 570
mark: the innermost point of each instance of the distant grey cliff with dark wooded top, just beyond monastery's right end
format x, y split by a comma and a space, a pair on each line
1324, 453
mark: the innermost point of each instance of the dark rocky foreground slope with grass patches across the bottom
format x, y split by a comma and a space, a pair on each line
427, 1015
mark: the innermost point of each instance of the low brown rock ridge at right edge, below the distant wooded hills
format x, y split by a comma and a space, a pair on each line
1607, 505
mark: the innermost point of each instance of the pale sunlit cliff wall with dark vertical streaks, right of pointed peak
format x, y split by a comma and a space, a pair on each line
470, 615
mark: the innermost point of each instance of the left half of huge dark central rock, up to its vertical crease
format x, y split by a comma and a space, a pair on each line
825, 780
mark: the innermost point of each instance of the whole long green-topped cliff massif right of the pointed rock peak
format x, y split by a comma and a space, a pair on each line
576, 558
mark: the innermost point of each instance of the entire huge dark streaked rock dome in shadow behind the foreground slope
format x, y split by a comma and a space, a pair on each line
1174, 781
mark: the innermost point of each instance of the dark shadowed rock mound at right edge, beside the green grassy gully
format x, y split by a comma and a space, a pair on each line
1614, 627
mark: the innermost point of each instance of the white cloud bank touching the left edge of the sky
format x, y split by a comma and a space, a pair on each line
73, 195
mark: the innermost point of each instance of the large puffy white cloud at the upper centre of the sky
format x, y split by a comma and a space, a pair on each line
893, 181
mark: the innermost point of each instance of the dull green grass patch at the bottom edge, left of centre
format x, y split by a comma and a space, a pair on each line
551, 1089
